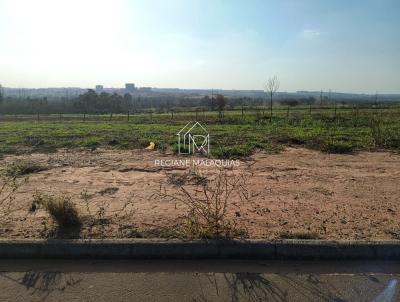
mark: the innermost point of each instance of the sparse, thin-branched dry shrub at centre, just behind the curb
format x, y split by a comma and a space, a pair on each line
208, 204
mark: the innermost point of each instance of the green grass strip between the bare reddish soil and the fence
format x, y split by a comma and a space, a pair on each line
232, 137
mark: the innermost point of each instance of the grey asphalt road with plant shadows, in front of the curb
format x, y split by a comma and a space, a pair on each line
206, 280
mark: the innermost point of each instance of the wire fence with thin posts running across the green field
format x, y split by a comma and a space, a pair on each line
241, 114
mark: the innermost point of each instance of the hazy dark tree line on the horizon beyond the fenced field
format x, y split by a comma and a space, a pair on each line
109, 103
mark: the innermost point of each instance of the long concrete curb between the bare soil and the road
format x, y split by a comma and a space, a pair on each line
178, 249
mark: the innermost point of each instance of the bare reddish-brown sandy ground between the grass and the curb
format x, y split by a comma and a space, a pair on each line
297, 191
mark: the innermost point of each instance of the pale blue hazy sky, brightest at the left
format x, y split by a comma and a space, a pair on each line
348, 46
